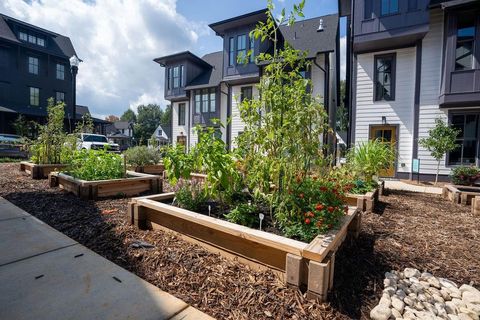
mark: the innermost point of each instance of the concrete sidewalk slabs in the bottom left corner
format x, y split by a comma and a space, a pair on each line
46, 275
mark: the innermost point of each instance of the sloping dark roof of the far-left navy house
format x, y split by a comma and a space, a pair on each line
57, 44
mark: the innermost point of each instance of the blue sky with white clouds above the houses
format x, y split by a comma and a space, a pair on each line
118, 40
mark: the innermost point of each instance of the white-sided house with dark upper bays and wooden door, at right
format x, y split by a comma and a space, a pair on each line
409, 63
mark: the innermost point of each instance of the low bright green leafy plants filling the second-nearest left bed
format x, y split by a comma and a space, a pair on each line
95, 165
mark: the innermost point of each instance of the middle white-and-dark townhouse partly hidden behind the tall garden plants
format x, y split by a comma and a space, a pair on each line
201, 89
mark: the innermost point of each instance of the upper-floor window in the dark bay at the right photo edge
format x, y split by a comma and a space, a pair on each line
465, 43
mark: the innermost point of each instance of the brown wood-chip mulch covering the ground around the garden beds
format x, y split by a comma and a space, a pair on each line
407, 230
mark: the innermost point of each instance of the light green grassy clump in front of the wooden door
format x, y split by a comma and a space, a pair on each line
369, 158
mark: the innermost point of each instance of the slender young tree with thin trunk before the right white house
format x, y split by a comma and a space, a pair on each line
440, 140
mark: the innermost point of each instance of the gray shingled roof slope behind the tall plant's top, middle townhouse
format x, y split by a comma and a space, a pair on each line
303, 35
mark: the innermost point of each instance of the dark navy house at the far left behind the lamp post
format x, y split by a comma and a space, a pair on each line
34, 66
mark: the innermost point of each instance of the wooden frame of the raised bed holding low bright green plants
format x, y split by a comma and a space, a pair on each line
135, 184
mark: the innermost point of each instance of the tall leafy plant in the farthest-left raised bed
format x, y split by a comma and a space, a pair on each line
47, 148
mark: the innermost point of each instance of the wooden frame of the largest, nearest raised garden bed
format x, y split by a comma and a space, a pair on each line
303, 264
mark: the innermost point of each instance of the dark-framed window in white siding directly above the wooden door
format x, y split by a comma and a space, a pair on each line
384, 77
